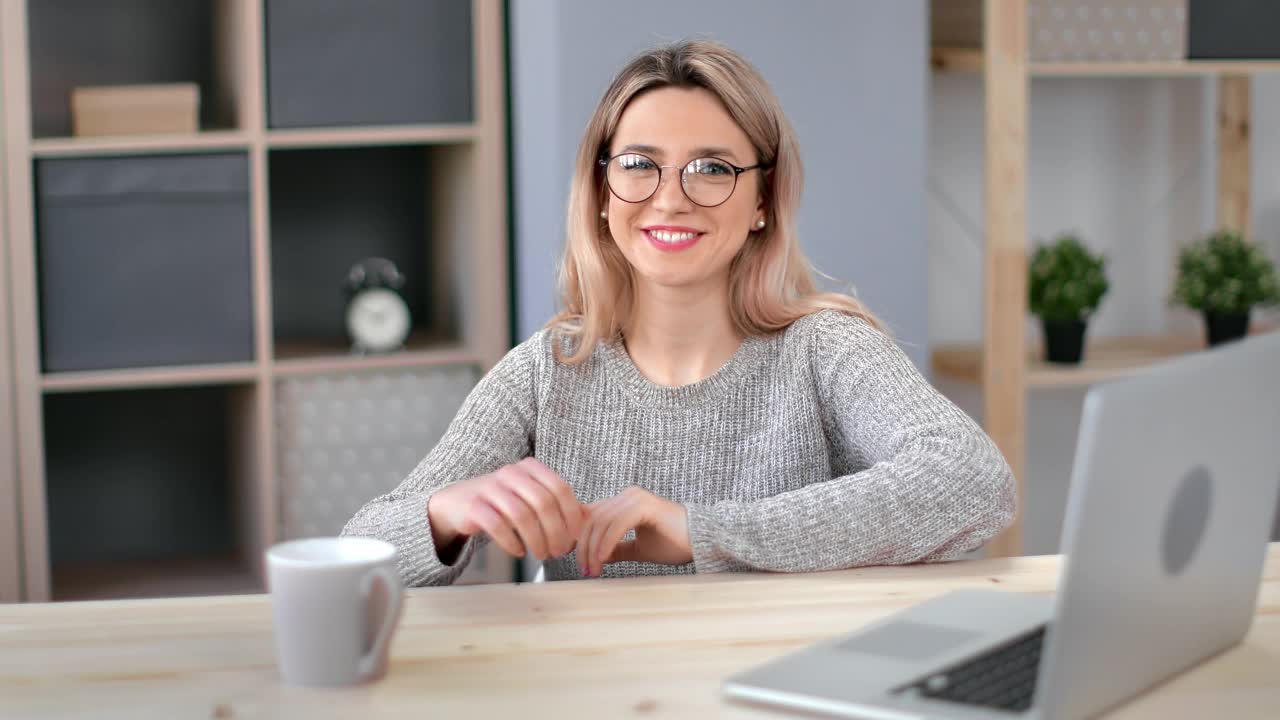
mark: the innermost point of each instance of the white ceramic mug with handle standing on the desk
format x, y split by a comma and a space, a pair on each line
327, 628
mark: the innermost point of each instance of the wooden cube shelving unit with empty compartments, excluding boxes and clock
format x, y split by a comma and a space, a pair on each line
429, 197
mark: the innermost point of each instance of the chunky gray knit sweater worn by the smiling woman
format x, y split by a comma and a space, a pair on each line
819, 448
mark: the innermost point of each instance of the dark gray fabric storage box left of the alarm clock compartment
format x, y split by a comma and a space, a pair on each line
144, 262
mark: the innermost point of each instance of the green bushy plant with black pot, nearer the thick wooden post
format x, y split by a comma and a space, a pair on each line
1067, 284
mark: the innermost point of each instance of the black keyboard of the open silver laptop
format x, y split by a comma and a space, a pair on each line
1003, 678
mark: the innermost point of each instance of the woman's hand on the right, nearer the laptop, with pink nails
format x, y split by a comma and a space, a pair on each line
661, 526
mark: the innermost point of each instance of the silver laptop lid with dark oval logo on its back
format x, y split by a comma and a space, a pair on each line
1174, 490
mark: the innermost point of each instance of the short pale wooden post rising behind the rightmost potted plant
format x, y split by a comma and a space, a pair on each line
1233, 153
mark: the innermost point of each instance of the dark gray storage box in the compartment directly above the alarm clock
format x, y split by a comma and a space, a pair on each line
368, 62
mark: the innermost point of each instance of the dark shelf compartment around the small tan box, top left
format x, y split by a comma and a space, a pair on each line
75, 44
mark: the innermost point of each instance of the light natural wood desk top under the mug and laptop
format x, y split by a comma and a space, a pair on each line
592, 649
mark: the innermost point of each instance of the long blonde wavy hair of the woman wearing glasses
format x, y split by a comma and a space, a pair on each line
771, 282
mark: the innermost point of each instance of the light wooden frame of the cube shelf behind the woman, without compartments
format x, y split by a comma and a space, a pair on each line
470, 207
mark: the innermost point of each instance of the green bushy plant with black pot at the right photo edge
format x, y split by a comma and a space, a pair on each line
1224, 277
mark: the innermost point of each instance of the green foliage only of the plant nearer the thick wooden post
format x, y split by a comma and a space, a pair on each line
1067, 282
